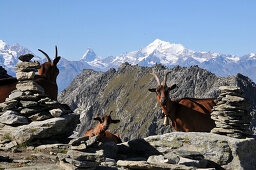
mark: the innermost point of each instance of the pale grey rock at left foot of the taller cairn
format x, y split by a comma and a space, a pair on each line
12, 118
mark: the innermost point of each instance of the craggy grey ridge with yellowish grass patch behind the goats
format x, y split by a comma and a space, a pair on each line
125, 92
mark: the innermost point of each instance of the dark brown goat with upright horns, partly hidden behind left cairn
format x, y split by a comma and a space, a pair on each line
46, 78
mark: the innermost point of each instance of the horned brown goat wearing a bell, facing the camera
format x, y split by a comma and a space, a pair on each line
186, 114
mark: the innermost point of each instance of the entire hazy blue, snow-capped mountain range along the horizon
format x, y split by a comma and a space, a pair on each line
161, 52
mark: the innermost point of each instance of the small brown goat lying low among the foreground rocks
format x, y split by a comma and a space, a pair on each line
101, 129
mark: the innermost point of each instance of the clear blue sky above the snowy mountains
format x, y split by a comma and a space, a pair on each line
112, 27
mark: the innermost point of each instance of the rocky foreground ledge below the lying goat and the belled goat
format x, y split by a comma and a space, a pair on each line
176, 150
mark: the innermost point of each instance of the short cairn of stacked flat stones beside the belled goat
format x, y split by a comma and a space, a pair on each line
231, 114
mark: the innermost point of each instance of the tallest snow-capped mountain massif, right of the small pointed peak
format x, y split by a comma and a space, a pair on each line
166, 53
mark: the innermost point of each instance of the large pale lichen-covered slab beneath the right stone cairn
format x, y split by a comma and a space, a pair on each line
230, 153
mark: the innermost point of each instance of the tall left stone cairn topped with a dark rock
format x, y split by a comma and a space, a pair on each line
28, 102
